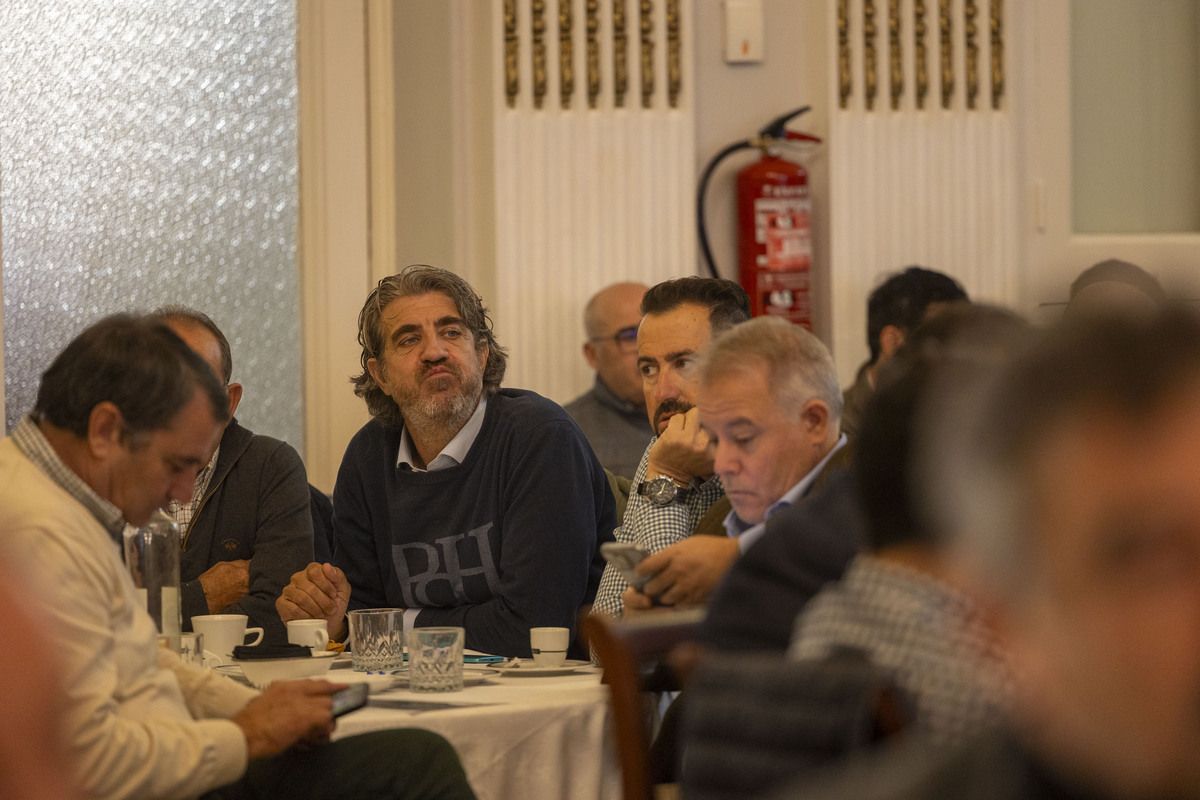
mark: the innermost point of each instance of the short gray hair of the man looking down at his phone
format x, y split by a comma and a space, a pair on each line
800, 368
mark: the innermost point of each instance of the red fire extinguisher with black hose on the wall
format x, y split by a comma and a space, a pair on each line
775, 242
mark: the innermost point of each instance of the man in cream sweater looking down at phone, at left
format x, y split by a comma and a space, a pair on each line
125, 418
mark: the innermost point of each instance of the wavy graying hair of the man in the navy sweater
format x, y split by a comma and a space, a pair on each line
412, 281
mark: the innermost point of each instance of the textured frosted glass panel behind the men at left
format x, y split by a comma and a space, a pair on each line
148, 155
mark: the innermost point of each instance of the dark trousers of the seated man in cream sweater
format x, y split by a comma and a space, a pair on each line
401, 765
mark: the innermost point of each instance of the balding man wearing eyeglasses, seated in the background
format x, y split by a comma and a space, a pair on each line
613, 413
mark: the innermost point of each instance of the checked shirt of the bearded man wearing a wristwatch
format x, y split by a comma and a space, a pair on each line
653, 528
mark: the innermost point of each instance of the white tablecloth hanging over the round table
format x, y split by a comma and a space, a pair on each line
537, 739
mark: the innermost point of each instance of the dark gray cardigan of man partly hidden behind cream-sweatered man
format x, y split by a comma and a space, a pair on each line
256, 508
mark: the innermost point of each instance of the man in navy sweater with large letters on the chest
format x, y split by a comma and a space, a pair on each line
463, 503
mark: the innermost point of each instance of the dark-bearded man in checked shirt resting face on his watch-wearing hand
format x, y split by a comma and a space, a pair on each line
675, 492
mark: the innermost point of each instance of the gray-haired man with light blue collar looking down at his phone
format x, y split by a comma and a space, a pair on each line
770, 404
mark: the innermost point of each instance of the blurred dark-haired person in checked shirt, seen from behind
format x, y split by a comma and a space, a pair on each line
899, 603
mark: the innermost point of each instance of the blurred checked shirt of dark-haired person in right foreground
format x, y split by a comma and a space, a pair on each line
921, 629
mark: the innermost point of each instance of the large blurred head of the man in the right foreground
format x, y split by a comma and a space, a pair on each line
1071, 485
